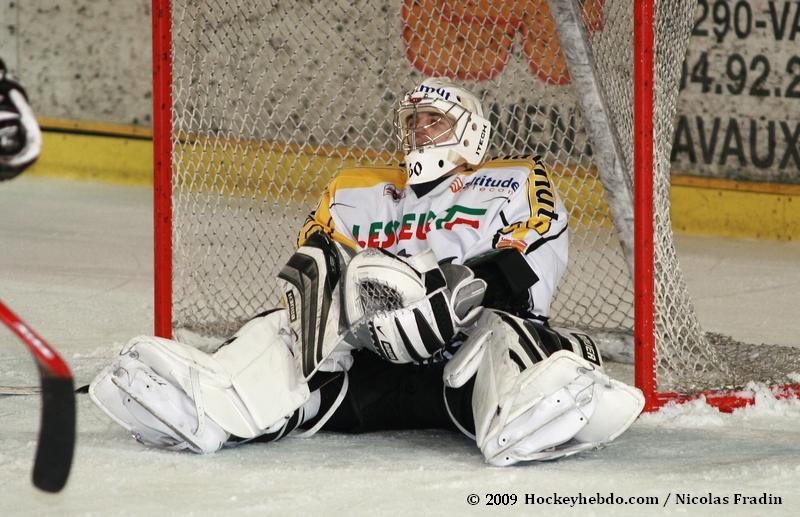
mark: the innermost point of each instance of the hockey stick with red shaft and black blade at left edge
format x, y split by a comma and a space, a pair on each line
57, 429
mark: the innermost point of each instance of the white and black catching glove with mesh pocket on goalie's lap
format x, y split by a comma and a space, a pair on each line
407, 311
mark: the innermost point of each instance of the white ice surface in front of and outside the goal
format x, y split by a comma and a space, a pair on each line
76, 264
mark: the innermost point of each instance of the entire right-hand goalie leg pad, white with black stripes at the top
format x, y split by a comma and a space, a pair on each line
539, 393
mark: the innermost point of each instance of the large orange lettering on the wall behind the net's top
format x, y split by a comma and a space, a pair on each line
473, 39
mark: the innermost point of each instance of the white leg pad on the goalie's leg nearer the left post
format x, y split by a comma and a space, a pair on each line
248, 387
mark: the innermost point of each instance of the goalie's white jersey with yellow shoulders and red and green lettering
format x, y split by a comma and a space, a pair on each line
504, 203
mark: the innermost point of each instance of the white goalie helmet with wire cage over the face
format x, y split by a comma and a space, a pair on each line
440, 126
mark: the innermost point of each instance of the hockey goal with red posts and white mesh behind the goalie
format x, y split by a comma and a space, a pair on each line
258, 104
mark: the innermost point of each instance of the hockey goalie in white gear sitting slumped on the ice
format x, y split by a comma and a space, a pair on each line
418, 297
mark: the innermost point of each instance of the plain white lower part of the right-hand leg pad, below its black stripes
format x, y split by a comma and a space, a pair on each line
560, 406
